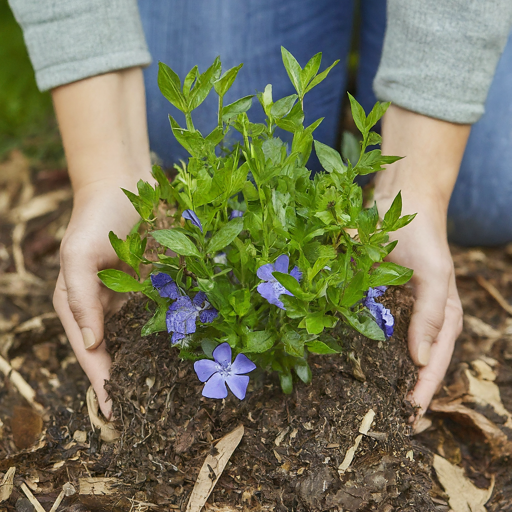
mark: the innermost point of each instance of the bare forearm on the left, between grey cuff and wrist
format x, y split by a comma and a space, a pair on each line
103, 126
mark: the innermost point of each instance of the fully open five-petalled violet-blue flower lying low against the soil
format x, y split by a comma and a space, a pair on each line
221, 371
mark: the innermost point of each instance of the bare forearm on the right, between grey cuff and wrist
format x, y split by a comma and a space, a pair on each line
433, 151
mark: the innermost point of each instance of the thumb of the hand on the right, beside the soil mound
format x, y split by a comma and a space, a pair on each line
428, 314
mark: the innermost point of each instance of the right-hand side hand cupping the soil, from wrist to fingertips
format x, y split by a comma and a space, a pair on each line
436, 320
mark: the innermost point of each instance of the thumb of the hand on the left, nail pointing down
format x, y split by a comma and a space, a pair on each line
85, 304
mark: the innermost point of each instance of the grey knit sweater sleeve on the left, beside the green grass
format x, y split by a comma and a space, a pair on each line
69, 40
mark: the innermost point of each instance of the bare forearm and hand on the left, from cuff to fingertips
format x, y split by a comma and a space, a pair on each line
102, 120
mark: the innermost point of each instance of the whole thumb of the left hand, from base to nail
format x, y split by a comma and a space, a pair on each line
84, 289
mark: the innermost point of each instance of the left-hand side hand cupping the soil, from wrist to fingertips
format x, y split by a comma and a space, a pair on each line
80, 299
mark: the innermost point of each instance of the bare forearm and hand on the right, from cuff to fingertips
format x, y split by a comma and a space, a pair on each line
433, 150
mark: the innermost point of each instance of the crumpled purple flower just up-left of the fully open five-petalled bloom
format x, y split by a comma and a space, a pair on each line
182, 315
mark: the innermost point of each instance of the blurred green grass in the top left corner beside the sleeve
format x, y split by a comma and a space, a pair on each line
27, 121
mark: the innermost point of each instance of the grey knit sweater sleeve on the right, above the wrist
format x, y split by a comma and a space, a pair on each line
439, 56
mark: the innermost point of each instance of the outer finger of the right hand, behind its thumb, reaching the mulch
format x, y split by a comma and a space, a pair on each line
431, 376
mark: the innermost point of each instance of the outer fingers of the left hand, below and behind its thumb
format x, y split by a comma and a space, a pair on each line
96, 364
